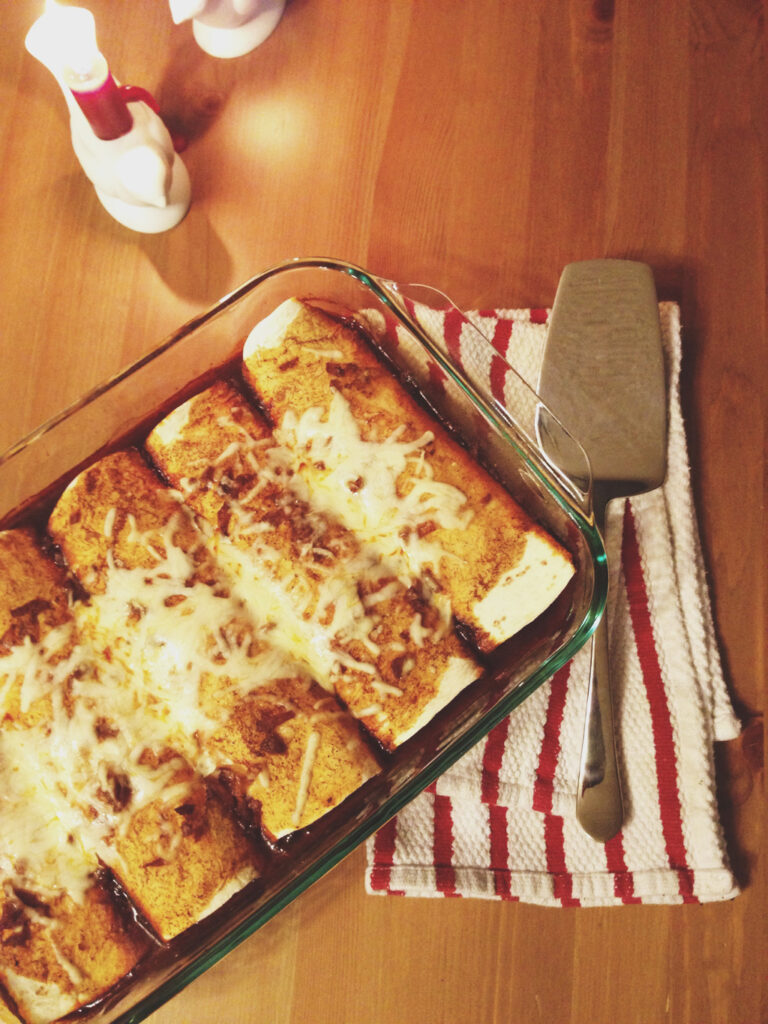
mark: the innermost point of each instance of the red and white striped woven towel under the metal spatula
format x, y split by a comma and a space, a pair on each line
500, 824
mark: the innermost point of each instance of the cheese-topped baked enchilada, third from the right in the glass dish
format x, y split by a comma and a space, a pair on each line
233, 704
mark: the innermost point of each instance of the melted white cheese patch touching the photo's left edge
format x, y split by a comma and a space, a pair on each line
73, 780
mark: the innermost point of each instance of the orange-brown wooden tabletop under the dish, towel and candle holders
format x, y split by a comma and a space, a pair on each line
478, 148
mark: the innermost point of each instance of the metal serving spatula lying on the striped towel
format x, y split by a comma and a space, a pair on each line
604, 377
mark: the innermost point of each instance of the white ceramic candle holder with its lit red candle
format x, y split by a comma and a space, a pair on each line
119, 139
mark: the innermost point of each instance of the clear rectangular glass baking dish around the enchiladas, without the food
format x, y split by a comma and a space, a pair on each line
524, 446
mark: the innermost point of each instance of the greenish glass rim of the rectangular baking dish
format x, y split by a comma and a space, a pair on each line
392, 295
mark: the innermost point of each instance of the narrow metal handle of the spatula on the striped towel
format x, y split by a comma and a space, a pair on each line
600, 804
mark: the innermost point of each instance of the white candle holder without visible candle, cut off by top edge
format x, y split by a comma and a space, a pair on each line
229, 28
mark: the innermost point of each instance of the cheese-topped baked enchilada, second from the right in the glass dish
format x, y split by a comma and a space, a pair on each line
379, 644
